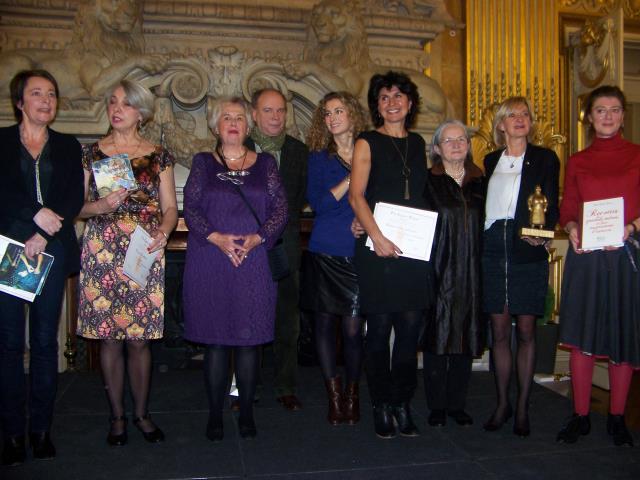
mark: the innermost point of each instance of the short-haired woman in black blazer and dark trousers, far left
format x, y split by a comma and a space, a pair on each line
41, 192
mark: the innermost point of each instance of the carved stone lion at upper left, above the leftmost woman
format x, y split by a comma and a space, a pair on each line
107, 44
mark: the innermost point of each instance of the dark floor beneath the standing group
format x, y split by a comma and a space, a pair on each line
302, 445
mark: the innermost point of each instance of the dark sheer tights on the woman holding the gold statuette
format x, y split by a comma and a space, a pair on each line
503, 362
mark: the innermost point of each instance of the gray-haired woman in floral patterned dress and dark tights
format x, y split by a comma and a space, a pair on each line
112, 307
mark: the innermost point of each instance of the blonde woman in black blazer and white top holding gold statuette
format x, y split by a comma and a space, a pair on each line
515, 269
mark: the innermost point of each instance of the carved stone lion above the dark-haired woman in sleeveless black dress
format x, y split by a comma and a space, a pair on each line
337, 54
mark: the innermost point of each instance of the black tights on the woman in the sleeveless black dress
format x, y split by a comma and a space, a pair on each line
397, 384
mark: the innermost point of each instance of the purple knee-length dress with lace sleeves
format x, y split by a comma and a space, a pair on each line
225, 305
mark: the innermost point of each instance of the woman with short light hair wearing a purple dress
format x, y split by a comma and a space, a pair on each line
235, 207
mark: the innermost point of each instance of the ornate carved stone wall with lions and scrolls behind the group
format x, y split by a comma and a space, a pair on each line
191, 52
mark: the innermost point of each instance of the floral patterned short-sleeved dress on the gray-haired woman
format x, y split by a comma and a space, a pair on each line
112, 306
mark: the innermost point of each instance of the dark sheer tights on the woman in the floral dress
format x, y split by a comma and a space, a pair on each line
112, 363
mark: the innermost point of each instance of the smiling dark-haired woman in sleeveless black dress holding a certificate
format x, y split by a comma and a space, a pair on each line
389, 165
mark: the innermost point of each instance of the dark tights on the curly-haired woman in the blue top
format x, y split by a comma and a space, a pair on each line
325, 332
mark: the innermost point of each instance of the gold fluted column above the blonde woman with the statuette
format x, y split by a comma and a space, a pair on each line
511, 49
